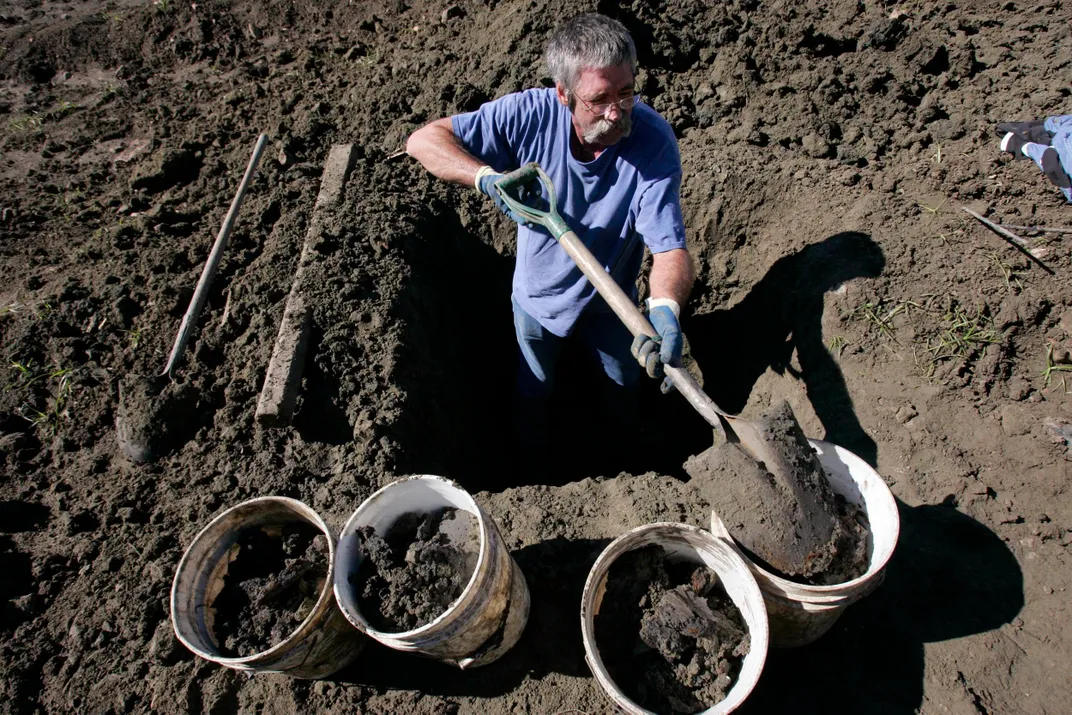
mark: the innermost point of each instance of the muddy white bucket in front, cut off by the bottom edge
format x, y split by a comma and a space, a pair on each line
692, 545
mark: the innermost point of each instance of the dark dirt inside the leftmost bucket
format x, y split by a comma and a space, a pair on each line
273, 584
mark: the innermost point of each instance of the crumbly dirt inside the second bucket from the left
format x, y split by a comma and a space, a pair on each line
414, 573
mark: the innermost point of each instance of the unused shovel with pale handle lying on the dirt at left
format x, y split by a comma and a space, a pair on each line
147, 405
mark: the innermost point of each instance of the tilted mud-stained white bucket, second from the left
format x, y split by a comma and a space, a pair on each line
486, 620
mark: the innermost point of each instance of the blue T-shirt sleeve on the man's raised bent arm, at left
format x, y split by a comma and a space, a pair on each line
493, 133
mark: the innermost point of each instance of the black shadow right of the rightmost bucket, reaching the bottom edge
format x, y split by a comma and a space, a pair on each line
950, 577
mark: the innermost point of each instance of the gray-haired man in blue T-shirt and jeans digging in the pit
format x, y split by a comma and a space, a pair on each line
615, 165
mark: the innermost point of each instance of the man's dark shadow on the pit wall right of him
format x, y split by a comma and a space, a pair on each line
782, 314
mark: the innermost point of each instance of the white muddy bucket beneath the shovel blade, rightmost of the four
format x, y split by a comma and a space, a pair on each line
801, 614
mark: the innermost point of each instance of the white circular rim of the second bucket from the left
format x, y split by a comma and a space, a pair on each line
351, 610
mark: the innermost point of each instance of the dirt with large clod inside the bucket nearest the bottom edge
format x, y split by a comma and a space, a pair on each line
669, 635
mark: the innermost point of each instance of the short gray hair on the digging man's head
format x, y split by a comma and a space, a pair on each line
589, 41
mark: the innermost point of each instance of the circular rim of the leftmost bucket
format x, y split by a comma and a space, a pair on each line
250, 662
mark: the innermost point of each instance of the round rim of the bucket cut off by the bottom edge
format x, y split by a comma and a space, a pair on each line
760, 635
